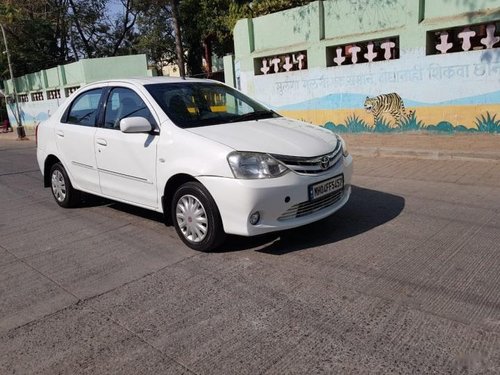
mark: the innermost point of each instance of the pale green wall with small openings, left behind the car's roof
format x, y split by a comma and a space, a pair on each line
40, 94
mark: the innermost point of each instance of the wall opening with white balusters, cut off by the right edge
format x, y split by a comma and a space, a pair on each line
464, 38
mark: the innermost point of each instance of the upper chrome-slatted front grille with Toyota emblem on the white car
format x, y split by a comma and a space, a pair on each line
312, 165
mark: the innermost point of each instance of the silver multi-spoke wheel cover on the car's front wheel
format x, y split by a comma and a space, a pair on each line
192, 218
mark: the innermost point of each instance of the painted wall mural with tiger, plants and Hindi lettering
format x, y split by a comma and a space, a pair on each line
458, 92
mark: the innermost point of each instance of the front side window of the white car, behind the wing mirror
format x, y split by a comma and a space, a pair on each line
122, 103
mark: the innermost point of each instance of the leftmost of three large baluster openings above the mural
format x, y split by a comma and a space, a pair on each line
281, 63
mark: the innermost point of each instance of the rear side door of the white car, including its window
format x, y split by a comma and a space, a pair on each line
75, 140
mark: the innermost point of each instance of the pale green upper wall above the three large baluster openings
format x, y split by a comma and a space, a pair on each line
334, 22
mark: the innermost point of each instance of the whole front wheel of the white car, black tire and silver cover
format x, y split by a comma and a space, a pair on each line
196, 217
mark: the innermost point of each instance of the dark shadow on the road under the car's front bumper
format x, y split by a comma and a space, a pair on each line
366, 209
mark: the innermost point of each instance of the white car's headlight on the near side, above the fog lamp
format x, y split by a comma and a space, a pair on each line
252, 165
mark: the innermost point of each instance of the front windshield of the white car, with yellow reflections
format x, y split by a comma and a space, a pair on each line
194, 104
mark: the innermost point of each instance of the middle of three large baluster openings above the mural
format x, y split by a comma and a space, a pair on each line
363, 52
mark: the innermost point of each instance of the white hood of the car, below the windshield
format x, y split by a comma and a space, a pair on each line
274, 136
